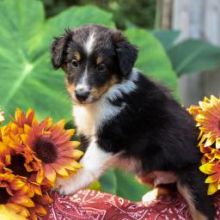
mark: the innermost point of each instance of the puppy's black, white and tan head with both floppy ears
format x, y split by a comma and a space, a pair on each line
94, 58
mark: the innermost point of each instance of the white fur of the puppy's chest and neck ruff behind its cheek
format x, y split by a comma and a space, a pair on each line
89, 117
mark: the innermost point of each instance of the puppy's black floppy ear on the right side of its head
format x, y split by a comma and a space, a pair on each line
126, 53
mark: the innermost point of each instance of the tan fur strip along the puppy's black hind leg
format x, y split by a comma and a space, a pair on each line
185, 192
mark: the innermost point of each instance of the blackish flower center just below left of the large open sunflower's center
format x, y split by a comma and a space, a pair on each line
17, 165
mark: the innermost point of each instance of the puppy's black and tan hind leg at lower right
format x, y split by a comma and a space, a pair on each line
193, 189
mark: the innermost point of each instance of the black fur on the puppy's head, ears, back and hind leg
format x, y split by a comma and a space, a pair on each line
152, 127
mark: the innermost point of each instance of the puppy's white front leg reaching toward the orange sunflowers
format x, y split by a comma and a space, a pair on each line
94, 163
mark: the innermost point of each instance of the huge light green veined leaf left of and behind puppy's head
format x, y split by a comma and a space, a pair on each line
27, 78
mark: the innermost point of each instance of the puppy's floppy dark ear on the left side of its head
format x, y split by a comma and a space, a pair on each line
58, 49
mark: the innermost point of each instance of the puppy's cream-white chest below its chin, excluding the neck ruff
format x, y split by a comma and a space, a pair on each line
89, 118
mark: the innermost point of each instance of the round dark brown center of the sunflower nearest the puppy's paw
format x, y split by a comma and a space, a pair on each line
46, 150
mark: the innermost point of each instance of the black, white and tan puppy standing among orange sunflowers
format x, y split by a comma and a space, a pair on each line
126, 119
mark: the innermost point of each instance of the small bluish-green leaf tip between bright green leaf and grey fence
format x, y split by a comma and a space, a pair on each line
166, 37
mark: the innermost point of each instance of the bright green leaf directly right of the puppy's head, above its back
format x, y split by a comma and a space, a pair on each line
152, 59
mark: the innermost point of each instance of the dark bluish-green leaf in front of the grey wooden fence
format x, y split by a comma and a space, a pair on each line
194, 56
